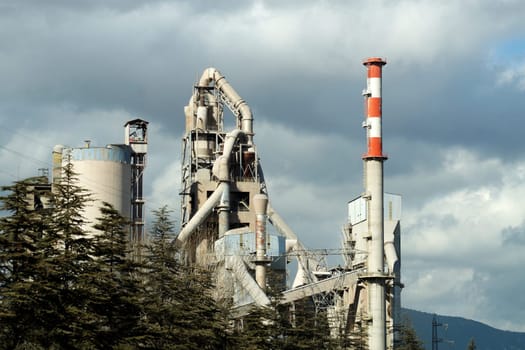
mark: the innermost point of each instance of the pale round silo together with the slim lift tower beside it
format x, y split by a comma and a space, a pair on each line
113, 174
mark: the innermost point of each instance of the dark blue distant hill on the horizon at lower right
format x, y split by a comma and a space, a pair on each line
461, 330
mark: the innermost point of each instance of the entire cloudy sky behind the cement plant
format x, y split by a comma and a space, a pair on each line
453, 94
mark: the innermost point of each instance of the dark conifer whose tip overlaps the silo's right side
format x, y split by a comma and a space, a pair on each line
116, 297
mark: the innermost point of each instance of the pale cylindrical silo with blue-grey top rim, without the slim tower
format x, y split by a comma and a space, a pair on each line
106, 173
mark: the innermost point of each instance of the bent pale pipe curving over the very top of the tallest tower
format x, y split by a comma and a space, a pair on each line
239, 105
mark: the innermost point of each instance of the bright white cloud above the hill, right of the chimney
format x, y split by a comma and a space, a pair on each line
453, 245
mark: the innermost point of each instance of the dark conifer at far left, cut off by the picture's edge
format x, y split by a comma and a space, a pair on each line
20, 231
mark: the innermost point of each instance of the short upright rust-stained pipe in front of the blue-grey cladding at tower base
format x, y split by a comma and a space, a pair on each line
260, 205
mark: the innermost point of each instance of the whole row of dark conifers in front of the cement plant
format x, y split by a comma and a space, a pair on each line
66, 286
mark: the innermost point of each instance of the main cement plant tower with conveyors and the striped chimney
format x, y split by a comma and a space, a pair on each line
225, 208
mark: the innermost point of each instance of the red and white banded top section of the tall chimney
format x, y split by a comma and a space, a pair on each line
373, 104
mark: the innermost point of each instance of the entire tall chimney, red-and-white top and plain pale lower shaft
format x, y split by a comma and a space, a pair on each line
374, 159
